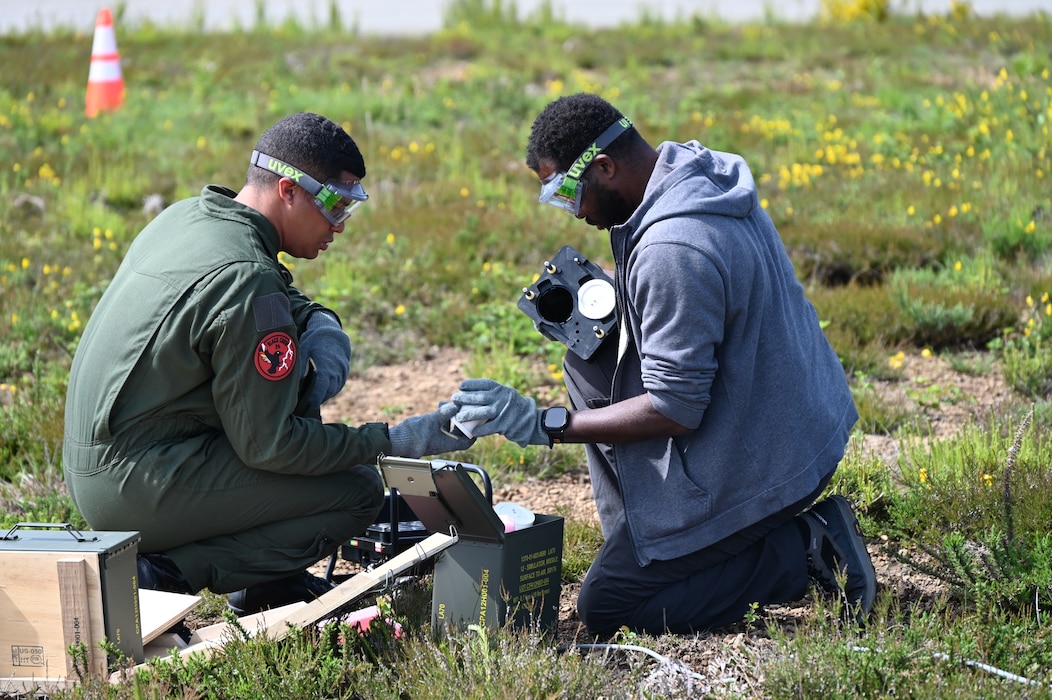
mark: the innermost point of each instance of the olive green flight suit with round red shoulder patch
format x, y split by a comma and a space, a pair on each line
180, 414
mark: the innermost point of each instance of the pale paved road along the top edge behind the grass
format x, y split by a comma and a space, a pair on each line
401, 17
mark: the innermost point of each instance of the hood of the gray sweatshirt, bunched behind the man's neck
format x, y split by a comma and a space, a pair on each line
690, 179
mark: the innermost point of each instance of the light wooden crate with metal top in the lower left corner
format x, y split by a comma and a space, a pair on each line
60, 588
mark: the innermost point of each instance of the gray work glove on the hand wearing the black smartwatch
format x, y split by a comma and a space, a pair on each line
504, 410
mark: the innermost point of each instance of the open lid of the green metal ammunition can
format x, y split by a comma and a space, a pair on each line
443, 496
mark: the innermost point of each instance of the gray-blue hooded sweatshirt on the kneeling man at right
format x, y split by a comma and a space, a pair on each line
717, 331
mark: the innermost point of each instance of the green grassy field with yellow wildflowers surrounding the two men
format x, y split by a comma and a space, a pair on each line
905, 162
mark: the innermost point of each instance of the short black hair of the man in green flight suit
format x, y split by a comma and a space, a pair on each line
317, 146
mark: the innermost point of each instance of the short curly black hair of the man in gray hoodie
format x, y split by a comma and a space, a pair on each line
568, 127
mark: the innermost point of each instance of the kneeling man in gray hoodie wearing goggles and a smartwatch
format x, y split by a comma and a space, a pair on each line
716, 415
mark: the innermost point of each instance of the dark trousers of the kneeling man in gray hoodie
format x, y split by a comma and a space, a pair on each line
714, 587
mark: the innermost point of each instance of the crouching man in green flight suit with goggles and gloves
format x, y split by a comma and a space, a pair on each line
193, 408
